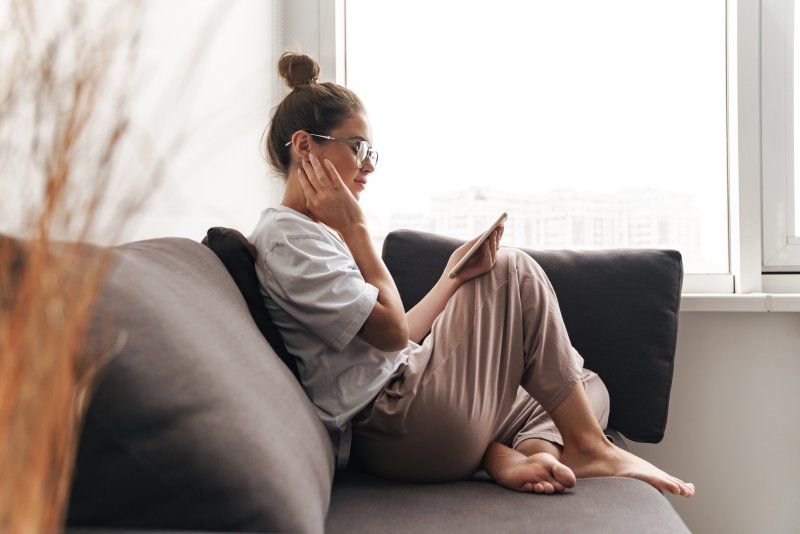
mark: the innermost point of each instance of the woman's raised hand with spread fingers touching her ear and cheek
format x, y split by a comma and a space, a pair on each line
327, 197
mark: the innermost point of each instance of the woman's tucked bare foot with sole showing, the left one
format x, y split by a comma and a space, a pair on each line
538, 473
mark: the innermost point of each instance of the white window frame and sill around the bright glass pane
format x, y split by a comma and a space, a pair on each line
752, 137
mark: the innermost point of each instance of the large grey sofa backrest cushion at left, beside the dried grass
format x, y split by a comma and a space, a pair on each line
196, 423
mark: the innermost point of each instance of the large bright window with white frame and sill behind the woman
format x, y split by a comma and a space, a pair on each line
727, 67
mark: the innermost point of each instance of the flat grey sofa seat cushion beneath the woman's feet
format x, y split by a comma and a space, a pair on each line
361, 503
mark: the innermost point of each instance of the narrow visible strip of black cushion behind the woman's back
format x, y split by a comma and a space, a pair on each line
239, 257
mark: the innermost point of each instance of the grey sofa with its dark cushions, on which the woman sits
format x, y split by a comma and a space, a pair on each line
198, 422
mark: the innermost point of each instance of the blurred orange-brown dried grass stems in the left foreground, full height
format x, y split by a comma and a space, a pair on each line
63, 124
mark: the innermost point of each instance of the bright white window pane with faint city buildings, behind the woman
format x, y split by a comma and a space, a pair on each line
594, 124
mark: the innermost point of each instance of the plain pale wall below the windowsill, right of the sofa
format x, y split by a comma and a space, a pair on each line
734, 422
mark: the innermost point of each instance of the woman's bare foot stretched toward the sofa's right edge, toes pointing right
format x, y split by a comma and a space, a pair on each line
606, 459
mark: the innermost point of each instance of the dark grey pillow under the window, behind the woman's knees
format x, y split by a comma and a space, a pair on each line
620, 308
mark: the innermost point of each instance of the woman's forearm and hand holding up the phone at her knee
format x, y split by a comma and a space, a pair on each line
420, 318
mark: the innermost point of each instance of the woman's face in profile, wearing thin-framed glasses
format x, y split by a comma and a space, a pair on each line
343, 155
